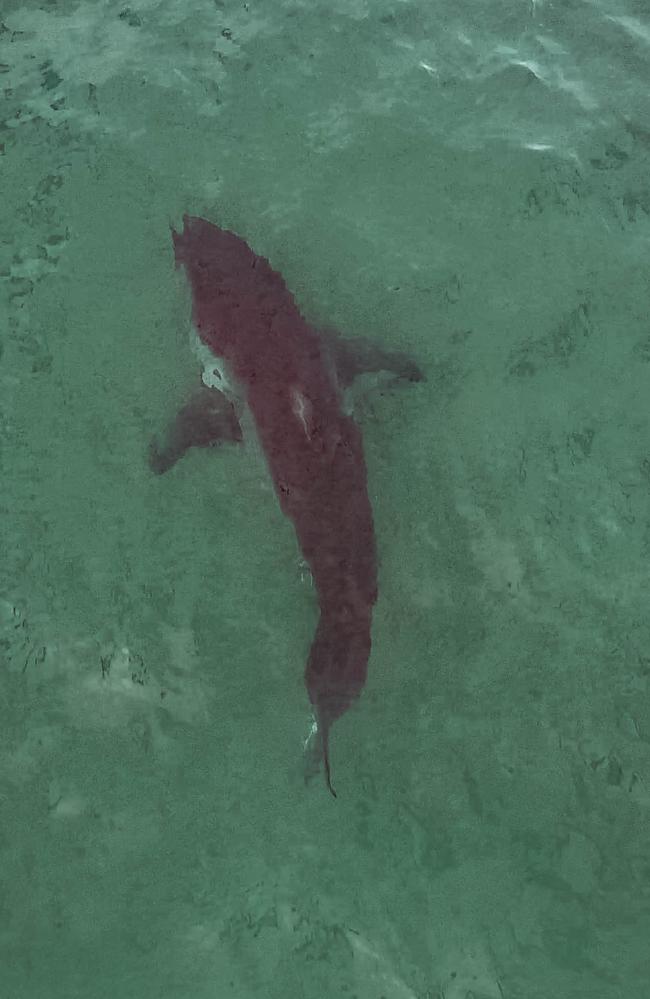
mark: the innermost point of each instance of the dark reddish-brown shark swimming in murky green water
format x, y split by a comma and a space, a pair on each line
289, 380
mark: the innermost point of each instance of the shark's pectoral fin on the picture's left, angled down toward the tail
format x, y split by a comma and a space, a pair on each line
207, 419
